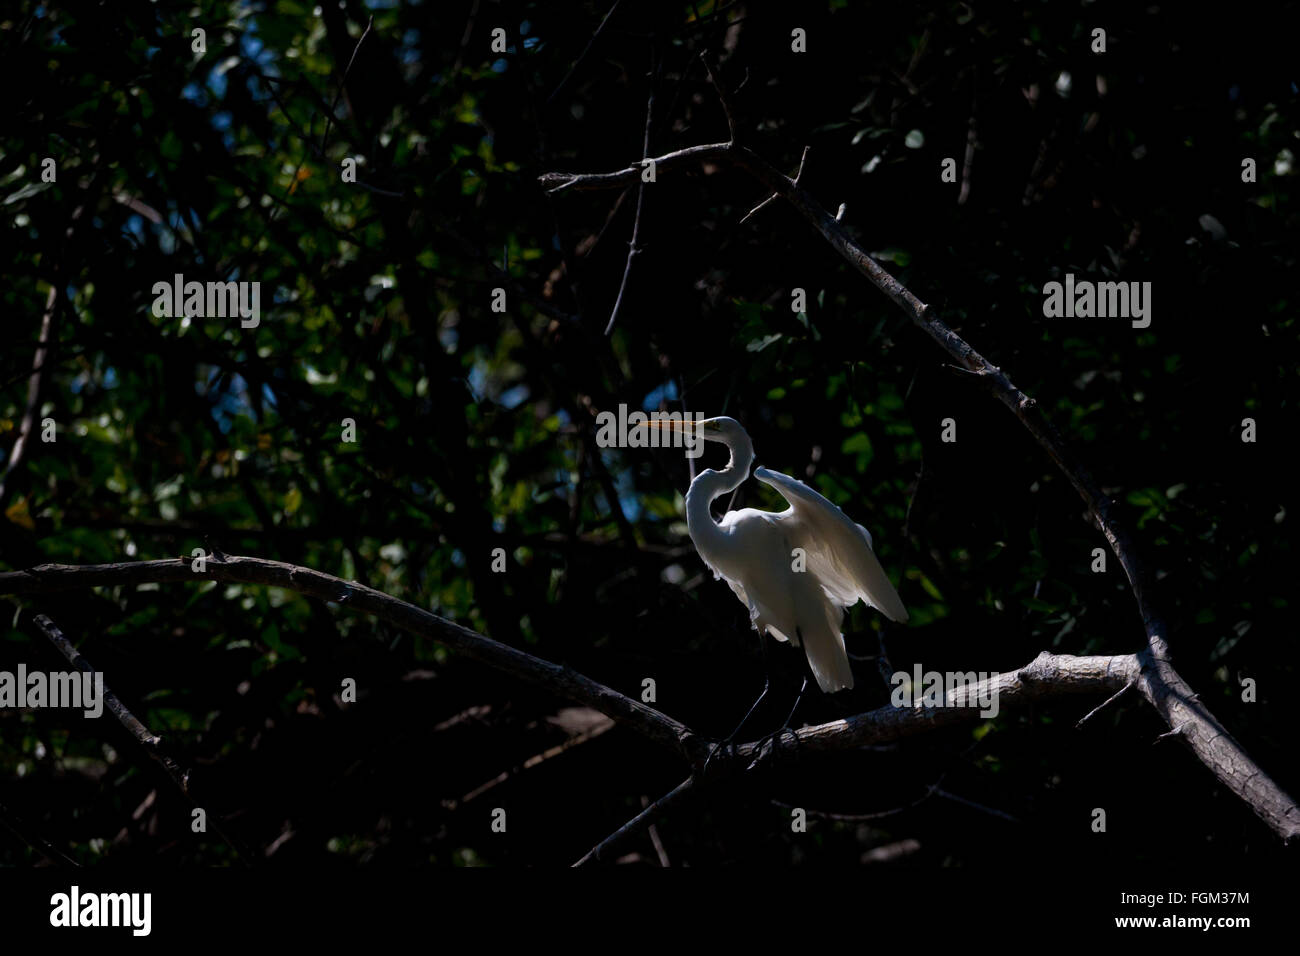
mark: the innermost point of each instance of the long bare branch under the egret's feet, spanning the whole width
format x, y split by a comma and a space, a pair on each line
1047, 677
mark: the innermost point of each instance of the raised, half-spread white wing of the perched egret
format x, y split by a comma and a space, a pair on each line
839, 551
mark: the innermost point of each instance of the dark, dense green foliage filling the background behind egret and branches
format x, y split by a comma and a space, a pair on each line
475, 427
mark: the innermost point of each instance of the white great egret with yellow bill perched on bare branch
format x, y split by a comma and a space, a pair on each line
796, 570
